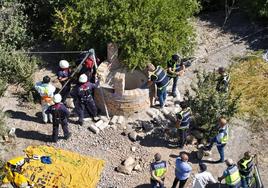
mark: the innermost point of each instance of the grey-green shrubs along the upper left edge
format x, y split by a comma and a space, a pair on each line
15, 68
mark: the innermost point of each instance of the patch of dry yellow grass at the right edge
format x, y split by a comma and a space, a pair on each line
250, 78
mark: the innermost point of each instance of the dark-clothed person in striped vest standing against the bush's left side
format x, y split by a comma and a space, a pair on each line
183, 122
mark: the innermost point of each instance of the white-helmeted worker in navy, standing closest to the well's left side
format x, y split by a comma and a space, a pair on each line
83, 92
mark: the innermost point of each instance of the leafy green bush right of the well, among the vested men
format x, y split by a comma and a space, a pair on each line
207, 104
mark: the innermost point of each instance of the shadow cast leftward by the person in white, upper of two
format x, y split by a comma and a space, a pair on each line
23, 116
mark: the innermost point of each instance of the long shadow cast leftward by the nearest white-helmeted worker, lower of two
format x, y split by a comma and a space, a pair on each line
33, 135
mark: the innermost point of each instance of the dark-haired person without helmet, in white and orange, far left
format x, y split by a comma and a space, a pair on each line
46, 91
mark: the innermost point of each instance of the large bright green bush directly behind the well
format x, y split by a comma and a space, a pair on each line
145, 30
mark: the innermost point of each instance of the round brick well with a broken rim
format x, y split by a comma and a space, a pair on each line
121, 91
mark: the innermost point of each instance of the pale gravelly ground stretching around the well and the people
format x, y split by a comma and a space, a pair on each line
113, 144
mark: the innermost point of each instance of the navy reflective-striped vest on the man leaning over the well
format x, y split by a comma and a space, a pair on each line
162, 79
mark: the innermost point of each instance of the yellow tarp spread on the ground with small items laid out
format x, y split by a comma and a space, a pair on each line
68, 169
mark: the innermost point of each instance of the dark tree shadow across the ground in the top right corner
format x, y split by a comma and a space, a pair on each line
239, 25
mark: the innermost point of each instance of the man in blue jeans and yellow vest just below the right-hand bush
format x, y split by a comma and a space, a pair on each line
220, 139
